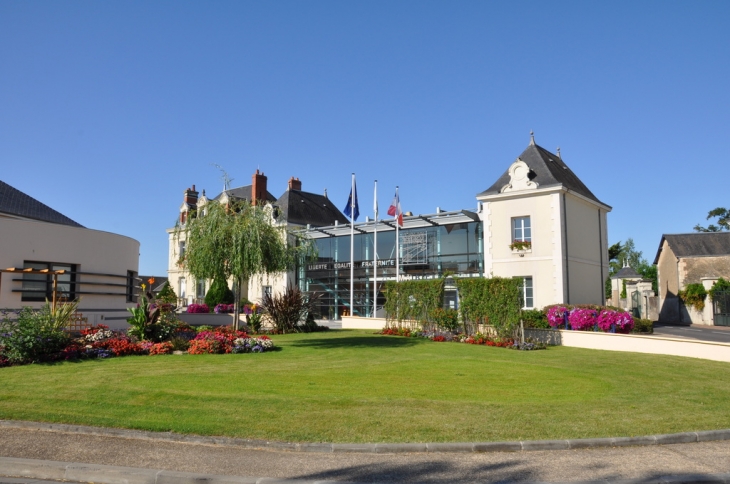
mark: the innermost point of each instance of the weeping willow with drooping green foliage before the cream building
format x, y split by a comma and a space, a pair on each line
239, 241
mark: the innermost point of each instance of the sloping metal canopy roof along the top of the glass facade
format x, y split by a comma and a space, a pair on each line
409, 222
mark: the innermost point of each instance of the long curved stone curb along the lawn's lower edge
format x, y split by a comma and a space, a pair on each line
323, 447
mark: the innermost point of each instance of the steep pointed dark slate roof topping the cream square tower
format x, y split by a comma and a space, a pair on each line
548, 171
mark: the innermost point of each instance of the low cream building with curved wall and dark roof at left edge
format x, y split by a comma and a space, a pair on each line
40, 244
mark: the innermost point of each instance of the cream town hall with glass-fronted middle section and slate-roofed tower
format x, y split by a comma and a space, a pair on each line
537, 222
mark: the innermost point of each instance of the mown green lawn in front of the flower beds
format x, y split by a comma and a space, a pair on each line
353, 386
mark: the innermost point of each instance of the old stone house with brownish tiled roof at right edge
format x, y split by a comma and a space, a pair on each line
694, 258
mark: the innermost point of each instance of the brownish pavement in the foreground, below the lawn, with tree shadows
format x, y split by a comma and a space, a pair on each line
146, 460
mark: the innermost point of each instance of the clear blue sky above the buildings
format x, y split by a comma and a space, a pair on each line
109, 110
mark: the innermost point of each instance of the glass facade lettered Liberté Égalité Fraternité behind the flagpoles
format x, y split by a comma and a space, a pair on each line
425, 253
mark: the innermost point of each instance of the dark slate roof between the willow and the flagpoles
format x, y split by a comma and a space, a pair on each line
302, 208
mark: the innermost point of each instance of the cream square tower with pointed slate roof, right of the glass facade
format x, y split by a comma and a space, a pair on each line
543, 225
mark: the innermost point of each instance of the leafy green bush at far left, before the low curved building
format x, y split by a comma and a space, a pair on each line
33, 337
